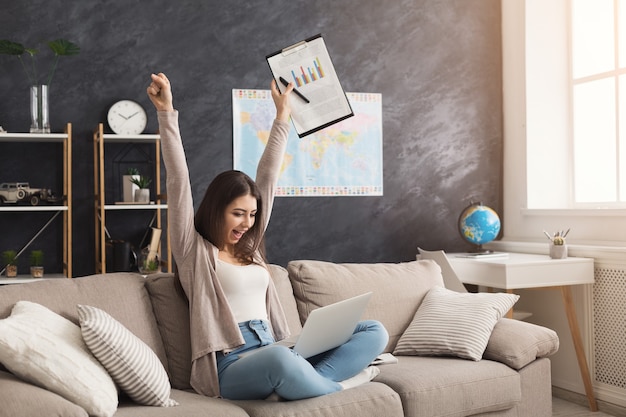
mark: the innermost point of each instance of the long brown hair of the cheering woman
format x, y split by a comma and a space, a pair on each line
209, 219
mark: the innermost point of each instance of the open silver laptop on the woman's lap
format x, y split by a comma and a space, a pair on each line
326, 327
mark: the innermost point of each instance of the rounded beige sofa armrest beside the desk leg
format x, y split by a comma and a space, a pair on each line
516, 343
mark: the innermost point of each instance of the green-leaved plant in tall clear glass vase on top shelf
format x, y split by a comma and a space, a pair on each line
40, 120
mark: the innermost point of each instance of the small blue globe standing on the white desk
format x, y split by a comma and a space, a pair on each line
479, 224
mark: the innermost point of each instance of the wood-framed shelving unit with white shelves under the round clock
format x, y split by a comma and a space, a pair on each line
101, 207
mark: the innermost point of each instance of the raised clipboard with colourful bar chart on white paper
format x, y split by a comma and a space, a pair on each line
308, 65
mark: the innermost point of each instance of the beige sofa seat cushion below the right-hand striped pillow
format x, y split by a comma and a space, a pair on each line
451, 387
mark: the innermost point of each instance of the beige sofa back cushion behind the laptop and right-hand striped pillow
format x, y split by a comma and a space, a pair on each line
398, 288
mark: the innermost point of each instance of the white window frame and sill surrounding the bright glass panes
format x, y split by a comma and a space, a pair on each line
538, 186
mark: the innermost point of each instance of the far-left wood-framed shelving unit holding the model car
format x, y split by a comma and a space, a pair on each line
64, 210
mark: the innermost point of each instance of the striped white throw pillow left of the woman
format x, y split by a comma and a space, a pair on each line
131, 363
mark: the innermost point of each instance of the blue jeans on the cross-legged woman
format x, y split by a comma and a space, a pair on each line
281, 370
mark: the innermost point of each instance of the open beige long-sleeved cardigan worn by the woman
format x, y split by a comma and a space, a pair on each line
213, 326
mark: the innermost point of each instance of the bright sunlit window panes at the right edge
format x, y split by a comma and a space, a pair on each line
598, 102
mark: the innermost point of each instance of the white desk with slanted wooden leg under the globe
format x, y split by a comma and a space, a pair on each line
520, 270
